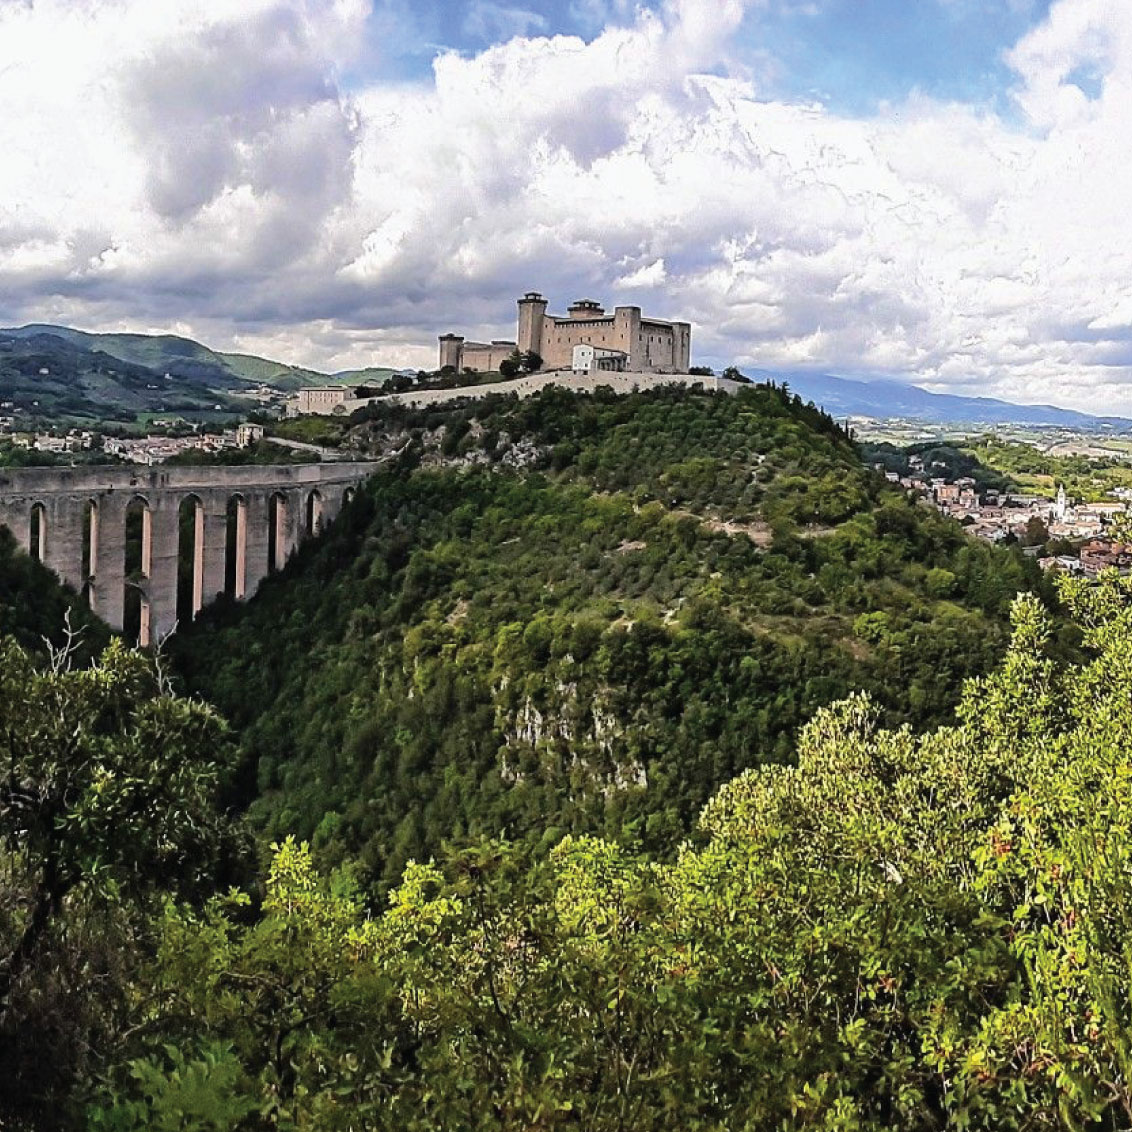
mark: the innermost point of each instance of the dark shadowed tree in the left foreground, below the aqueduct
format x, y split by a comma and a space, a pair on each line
109, 793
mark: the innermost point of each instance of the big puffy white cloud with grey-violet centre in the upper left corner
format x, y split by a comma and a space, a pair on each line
202, 145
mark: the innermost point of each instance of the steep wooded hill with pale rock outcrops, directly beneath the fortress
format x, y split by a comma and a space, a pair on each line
580, 614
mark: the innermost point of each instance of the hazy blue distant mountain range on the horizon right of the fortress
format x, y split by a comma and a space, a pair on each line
885, 399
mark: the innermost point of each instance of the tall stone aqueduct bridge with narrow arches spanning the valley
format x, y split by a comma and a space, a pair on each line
74, 520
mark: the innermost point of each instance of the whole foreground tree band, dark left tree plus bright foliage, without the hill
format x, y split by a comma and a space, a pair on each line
901, 930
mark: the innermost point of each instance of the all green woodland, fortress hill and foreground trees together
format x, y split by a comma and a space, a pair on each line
612, 764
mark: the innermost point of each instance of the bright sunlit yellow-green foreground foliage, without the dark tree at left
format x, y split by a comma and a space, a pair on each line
901, 932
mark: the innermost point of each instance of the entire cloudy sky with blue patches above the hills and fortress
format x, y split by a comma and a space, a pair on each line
934, 191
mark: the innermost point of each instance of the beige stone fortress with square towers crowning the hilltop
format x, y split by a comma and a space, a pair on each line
587, 340
